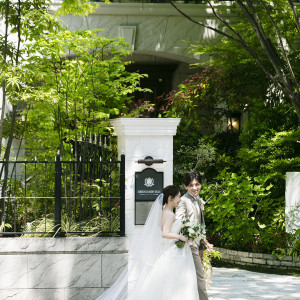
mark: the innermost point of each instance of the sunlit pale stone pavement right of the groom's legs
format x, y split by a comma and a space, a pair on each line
239, 284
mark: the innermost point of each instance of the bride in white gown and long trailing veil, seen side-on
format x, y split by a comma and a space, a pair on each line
157, 268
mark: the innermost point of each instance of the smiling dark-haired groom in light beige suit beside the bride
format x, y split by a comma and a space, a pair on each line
191, 207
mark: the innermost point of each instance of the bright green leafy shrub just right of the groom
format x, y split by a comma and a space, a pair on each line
233, 210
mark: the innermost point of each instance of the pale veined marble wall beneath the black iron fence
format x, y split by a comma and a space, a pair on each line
59, 268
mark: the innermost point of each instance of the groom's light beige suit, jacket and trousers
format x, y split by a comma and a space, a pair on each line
190, 208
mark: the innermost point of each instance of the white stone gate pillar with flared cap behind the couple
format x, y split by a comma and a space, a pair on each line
138, 138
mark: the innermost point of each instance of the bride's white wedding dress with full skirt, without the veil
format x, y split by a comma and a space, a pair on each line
173, 276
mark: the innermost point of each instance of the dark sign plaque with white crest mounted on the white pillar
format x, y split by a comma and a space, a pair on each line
148, 185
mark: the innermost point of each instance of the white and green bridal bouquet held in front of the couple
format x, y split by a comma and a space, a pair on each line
193, 231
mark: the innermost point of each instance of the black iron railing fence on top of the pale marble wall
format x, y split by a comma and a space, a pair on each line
63, 198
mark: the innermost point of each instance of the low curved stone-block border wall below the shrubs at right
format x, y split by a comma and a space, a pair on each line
258, 259
